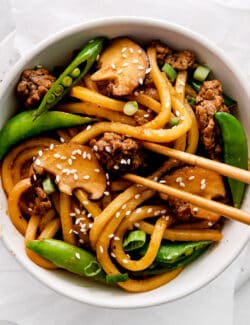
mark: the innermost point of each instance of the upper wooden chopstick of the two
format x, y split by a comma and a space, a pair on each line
221, 168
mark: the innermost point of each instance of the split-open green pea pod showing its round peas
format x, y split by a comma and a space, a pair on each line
71, 75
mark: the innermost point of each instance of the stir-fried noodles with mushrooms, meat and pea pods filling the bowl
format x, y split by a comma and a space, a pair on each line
76, 156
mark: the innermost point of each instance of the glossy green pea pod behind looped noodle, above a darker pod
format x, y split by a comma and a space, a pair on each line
173, 252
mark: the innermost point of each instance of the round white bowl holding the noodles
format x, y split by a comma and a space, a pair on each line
55, 51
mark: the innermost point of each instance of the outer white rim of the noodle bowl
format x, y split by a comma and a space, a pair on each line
140, 21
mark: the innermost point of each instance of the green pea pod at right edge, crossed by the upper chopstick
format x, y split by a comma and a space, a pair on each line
235, 151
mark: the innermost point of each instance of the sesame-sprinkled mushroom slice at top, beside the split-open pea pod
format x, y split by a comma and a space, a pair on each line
123, 64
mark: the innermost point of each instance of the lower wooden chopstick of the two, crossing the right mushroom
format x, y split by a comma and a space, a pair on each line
225, 210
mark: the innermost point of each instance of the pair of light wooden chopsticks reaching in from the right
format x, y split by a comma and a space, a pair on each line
221, 168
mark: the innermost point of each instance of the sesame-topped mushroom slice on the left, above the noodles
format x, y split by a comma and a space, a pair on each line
74, 166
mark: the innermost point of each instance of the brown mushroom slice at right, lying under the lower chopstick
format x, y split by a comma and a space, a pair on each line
198, 181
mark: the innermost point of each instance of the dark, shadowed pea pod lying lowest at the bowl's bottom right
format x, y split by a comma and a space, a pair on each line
159, 268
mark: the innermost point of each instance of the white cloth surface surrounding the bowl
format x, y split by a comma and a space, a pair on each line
23, 299
